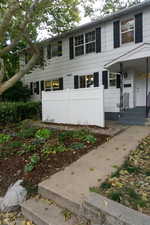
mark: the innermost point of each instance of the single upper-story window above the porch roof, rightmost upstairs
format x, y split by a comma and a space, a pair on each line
127, 30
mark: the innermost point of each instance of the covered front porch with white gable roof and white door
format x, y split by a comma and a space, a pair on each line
133, 68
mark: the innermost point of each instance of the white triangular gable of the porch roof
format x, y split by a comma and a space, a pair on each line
140, 52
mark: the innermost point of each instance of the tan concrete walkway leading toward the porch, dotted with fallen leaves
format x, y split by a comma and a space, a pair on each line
73, 183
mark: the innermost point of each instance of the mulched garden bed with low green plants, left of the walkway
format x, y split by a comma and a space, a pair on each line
34, 153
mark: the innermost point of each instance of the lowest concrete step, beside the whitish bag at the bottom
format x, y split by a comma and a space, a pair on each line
42, 212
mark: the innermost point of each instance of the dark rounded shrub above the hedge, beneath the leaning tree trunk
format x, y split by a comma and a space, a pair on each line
17, 93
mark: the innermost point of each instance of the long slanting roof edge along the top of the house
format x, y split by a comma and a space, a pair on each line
102, 20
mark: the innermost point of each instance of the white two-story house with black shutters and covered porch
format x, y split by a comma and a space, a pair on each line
114, 51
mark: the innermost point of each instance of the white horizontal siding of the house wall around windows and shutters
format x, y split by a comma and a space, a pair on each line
90, 63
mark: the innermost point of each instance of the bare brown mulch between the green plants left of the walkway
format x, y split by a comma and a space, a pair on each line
12, 164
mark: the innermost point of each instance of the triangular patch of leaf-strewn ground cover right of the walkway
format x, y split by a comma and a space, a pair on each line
130, 184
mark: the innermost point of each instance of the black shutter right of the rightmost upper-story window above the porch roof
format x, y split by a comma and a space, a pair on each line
138, 28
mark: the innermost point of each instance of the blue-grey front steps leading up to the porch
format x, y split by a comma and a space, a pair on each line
135, 116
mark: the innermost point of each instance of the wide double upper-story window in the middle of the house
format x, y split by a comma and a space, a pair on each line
85, 43
